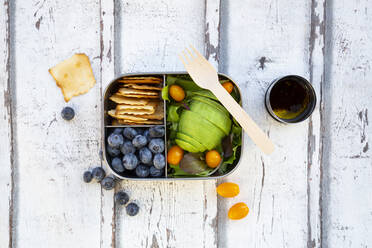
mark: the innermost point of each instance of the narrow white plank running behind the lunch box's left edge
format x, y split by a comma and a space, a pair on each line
107, 72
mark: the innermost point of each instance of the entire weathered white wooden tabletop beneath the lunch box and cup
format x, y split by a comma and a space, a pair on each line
314, 191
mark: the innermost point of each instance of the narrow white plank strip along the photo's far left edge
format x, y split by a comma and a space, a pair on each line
6, 133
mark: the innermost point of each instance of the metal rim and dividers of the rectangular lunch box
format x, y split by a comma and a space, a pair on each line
112, 87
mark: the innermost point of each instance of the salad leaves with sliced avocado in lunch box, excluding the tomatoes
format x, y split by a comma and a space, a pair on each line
197, 124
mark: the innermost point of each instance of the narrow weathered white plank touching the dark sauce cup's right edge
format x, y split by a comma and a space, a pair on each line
316, 124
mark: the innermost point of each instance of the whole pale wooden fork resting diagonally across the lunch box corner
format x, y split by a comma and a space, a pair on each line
204, 75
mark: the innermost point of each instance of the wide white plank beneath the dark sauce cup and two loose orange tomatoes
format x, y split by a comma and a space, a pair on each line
261, 41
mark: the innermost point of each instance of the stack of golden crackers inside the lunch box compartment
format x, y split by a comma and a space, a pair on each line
138, 102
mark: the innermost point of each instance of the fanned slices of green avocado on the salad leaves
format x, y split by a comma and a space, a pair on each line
203, 126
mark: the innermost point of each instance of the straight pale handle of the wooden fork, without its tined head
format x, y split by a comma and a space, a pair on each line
249, 126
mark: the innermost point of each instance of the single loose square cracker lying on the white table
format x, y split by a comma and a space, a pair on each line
74, 76
